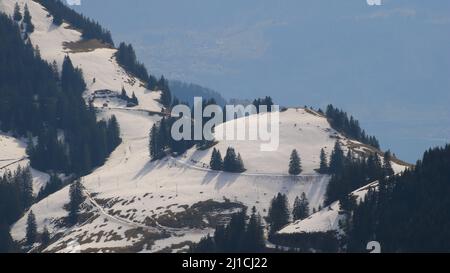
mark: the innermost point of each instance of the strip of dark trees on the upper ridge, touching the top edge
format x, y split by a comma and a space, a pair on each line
89, 28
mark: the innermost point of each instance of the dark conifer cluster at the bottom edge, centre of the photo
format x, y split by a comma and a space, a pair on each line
239, 236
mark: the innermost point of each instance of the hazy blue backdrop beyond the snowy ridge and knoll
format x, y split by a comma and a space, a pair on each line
388, 65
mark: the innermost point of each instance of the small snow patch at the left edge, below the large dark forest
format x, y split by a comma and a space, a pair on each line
13, 154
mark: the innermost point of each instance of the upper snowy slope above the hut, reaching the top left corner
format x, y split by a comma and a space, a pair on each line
98, 63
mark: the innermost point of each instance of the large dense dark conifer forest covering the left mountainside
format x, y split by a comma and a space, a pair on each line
36, 101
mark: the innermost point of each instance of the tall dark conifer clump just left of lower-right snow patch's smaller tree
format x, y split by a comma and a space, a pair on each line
278, 215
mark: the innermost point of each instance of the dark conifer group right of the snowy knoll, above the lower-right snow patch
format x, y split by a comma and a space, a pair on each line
350, 172
